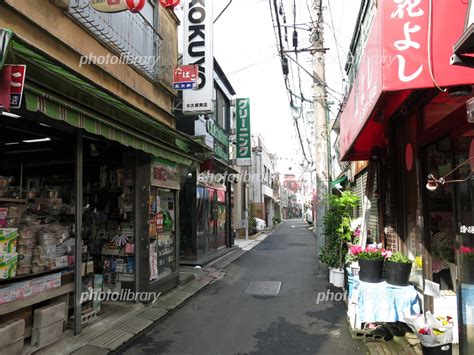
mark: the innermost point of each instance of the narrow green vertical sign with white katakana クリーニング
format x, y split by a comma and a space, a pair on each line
244, 145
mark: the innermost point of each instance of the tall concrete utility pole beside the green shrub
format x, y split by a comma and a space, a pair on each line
320, 123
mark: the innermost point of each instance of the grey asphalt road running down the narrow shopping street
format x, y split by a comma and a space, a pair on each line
225, 318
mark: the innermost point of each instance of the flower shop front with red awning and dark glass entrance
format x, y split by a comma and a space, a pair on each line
409, 121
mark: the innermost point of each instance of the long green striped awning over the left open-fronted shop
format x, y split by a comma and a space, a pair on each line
122, 123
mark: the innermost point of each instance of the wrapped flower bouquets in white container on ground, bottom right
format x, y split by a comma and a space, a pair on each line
432, 331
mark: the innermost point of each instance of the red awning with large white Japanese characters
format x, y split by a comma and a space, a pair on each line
395, 62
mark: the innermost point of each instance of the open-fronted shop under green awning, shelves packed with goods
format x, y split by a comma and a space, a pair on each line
89, 193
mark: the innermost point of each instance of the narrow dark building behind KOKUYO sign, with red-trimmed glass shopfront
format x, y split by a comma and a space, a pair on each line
206, 197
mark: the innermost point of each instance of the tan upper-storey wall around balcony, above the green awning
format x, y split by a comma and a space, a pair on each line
47, 27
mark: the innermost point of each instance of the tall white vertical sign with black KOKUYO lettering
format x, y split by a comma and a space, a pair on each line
198, 50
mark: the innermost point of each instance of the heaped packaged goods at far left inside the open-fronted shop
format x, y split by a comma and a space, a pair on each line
36, 233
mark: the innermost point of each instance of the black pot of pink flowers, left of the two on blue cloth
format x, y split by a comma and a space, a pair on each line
371, 263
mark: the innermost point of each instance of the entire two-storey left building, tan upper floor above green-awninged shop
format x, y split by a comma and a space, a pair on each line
95, 157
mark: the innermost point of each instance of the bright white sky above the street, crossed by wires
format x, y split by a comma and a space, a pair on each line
245, 45
